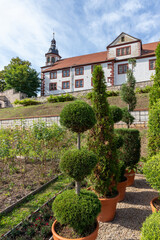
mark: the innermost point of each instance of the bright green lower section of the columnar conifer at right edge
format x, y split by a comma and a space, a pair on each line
154, 129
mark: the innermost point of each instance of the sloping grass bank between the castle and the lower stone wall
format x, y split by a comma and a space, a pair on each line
56, 108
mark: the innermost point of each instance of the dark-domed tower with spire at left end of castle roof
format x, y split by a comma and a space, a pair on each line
52, 55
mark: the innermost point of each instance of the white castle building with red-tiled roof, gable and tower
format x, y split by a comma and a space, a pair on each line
75, 74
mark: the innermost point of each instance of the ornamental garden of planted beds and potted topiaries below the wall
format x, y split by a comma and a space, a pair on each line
80, 168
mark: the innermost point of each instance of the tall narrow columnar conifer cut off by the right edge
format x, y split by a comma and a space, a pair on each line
154, 112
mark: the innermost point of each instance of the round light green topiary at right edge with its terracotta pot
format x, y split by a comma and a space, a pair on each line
151, 170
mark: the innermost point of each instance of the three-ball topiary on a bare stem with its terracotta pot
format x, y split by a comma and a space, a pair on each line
76, 210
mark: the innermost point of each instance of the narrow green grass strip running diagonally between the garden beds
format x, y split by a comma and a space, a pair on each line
8, 221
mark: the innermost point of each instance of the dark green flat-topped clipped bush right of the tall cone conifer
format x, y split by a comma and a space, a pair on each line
129, 153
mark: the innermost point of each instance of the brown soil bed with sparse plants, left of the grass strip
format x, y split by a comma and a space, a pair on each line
18, 178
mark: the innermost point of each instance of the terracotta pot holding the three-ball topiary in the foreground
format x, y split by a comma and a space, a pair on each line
92, 236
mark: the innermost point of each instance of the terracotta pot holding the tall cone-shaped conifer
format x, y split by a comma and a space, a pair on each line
108, 209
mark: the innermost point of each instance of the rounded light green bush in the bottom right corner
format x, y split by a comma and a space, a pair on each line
151, 227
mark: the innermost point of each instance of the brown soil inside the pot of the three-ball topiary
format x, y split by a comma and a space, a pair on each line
68, 232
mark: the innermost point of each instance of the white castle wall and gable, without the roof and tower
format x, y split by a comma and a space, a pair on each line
114, 67
